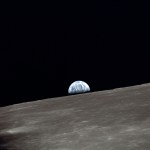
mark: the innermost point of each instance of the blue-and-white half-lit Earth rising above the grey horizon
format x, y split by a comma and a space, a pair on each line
78, 87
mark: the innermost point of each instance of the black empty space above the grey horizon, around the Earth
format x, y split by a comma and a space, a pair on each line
44, 49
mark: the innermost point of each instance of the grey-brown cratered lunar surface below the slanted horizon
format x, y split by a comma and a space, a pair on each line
117, 119
